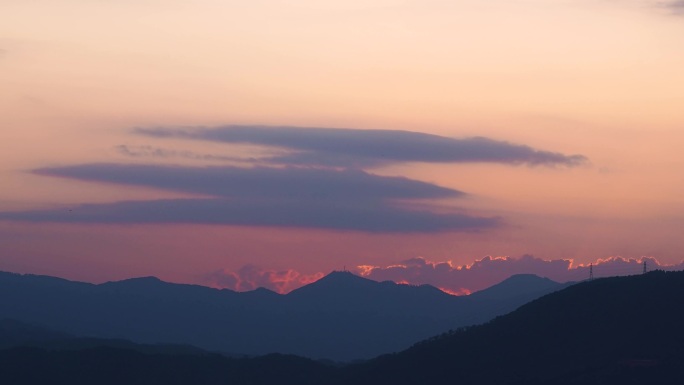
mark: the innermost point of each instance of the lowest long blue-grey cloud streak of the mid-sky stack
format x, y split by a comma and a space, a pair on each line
376, 218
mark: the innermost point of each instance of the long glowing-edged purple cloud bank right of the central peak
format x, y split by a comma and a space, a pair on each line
488, 271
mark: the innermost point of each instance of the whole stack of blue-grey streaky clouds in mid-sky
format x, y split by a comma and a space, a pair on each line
314, 180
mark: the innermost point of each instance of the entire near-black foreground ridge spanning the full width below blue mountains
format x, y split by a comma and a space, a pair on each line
609, 331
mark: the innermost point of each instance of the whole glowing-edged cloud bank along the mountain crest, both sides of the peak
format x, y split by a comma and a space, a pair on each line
465, 279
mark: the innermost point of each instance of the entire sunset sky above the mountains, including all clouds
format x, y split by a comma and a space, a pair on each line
267, 143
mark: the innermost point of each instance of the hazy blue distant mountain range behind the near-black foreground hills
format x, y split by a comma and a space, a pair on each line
341, 317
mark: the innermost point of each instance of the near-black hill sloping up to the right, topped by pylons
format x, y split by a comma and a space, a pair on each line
625, 330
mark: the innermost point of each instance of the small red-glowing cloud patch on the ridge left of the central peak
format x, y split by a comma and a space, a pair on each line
250, 277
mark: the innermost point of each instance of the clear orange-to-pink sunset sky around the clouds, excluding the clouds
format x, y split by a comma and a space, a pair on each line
600, 79
